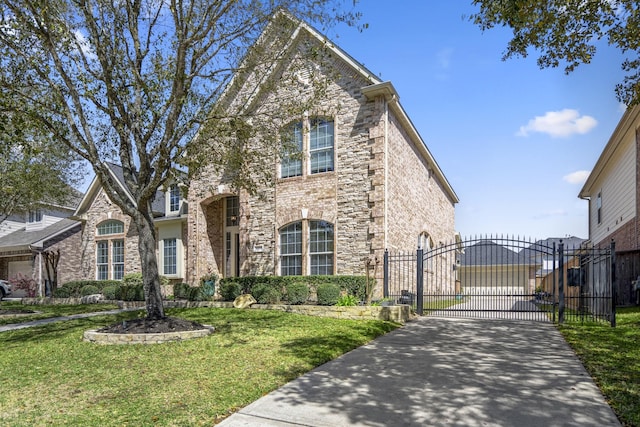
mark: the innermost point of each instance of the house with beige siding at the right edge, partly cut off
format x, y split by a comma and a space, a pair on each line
613, 192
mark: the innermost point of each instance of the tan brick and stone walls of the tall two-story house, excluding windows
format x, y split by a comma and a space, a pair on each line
352, 197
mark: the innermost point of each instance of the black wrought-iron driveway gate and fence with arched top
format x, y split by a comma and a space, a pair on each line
505, 278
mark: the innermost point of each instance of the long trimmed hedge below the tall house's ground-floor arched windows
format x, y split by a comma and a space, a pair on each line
231, 287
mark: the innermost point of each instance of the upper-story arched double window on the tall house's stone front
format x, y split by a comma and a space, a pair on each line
308, 148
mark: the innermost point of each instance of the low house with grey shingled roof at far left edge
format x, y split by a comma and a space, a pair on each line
27, 239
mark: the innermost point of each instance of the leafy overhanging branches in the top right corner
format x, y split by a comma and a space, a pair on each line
567, 32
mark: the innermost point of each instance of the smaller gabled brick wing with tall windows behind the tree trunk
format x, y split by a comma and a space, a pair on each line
109, 247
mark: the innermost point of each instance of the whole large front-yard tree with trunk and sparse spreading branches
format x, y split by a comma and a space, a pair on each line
134, 82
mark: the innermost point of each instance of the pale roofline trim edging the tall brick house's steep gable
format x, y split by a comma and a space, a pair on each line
376, 88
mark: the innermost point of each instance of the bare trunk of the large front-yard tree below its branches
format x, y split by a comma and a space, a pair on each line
149, 263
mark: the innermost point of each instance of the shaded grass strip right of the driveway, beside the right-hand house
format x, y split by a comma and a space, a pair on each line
612, 358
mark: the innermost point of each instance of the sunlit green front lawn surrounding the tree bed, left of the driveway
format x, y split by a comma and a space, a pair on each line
49, 376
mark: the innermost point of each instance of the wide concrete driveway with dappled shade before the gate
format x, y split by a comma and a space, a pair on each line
443, 372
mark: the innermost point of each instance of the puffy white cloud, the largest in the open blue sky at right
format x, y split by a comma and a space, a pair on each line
559, 124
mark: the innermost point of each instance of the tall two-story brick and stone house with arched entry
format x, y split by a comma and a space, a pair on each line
365, 181
